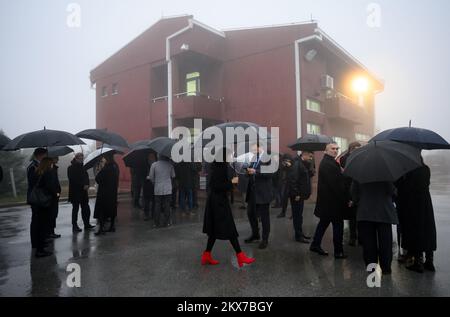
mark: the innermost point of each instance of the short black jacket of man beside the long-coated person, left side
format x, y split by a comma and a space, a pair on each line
78, 178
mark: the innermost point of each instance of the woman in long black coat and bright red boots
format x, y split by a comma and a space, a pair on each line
218, 222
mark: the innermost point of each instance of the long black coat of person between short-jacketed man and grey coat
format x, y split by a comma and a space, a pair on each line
108, 182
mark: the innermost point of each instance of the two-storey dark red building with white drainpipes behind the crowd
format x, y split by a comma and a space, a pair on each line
291, 76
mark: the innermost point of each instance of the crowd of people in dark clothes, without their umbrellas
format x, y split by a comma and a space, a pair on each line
371, 209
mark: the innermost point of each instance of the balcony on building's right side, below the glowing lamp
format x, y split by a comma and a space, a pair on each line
341, 107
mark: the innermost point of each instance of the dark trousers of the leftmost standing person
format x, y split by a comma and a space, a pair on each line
39, 227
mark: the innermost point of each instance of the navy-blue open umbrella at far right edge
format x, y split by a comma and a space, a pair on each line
419, 138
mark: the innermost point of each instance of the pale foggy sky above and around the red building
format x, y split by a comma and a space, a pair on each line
45, 65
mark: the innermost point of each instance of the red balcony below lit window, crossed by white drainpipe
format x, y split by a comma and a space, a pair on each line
187, 106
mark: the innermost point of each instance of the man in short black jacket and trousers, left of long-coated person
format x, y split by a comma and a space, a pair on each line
78, 192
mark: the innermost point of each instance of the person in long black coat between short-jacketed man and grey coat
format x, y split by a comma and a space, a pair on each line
106, 202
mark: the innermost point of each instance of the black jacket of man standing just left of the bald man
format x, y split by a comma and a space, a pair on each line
298, 179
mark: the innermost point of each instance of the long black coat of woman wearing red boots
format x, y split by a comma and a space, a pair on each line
218, 221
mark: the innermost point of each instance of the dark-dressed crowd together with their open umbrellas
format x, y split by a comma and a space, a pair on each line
375, 186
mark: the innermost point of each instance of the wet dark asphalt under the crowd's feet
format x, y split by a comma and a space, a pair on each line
139, 260
